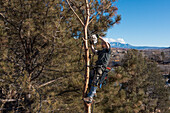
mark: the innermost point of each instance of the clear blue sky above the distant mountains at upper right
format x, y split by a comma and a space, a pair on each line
144, 23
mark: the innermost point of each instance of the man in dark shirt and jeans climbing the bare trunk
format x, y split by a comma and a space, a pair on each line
101, 65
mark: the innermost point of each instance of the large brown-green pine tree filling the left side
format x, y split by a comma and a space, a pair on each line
35, 34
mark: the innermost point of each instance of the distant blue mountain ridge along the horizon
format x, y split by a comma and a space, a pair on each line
128, 46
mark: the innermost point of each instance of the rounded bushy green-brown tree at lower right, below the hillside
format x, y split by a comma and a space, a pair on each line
136, 86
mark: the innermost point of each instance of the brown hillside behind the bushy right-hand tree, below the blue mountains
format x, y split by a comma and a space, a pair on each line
161, 56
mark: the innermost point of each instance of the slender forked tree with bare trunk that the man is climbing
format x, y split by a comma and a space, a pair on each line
91, 13
